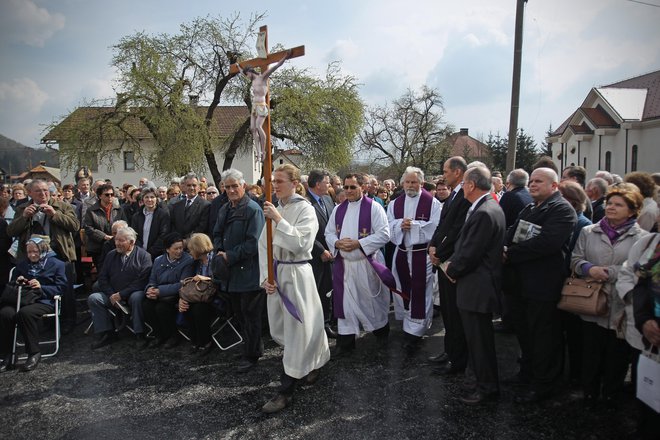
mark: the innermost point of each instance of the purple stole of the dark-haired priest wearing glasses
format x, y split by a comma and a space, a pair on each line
364, 228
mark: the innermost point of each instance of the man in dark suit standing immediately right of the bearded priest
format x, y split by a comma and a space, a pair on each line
441, 248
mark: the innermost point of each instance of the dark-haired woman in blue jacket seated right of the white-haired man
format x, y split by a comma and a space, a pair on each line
161, 294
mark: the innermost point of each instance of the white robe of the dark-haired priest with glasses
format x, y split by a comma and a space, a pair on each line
366, 298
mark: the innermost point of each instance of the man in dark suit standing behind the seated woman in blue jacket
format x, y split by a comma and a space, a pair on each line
191, 214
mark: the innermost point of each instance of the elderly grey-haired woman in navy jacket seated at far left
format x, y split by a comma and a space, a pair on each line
42, 277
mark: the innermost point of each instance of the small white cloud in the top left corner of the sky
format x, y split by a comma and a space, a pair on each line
24, 22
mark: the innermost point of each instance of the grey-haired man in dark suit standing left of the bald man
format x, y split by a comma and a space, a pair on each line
476, 266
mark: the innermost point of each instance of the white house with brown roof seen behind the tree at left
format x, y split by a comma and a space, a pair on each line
125, 168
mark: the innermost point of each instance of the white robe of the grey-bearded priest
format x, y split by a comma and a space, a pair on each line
421, 232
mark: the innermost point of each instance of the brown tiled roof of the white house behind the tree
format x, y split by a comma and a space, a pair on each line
226, 119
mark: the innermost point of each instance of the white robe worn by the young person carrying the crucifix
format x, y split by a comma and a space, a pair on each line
305, 344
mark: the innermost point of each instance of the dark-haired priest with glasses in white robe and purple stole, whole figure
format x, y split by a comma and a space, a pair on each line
356, 231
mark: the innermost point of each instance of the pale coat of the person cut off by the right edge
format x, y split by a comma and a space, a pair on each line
627, 280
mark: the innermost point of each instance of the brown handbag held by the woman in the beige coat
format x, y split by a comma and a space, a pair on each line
583, 296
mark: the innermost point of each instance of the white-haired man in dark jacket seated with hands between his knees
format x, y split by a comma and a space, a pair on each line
124, 276
